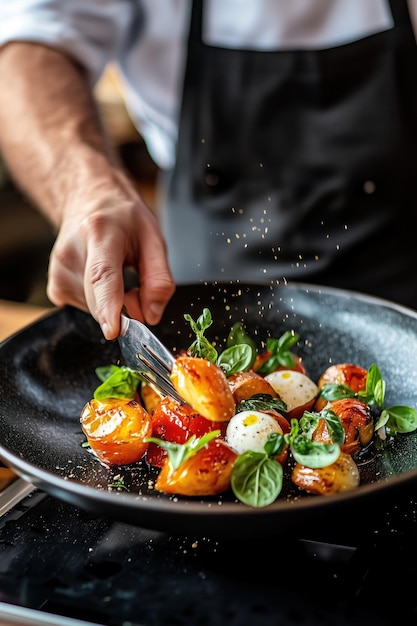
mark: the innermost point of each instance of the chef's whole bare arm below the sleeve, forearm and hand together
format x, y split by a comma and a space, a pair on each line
57, 151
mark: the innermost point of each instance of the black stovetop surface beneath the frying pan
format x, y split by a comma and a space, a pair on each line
65, 561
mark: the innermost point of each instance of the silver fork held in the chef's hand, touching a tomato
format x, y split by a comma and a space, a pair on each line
144, 352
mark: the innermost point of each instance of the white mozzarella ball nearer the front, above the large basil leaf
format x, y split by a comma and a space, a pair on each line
249, 430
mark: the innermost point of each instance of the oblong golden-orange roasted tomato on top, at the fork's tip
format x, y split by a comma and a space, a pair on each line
203, 386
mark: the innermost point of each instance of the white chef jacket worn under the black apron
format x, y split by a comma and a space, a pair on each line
147, 40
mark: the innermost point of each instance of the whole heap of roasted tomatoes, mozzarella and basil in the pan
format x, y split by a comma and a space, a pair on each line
252, 419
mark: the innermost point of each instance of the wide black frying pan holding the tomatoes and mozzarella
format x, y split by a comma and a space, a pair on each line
47, 373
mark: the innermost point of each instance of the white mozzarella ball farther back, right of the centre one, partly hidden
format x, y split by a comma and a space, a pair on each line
294, 388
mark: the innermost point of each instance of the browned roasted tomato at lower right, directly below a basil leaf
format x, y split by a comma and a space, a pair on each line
342, 475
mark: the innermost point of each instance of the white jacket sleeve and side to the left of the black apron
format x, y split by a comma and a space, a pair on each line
146, 44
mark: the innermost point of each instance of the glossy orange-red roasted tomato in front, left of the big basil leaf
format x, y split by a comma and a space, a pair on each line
206, 473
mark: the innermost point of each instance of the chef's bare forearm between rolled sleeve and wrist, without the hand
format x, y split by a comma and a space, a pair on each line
50, 131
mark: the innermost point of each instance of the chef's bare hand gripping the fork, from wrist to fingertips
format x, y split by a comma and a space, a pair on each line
102, 232
